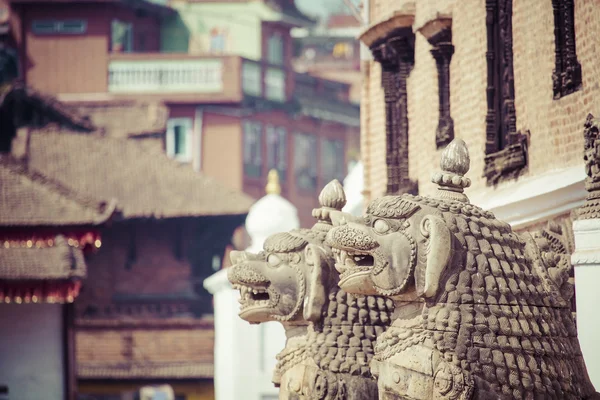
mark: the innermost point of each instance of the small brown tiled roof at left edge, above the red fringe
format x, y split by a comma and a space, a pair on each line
28, 198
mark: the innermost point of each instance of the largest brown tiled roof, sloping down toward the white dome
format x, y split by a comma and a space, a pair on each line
146, 184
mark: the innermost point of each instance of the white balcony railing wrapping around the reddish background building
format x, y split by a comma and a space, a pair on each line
211, 78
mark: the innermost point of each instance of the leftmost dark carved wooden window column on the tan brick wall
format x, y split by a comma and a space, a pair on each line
395, 53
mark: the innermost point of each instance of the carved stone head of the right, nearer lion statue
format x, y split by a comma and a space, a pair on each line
400, 244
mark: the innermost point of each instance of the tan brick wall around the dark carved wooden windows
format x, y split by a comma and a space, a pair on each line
556, 126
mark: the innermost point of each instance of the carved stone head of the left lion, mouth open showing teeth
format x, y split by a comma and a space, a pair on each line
287, 281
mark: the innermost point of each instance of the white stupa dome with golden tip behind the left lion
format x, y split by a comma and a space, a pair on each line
271, 214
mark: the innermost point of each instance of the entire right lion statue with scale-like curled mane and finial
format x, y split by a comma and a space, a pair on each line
480, 311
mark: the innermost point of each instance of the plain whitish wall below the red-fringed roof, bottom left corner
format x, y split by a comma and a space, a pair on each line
31, 351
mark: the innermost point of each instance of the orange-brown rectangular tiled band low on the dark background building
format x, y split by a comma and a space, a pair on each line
159, 351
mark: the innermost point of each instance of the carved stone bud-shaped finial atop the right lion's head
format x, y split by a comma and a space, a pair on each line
455, 163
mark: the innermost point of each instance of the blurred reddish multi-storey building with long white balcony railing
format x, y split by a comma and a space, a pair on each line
231, 117
